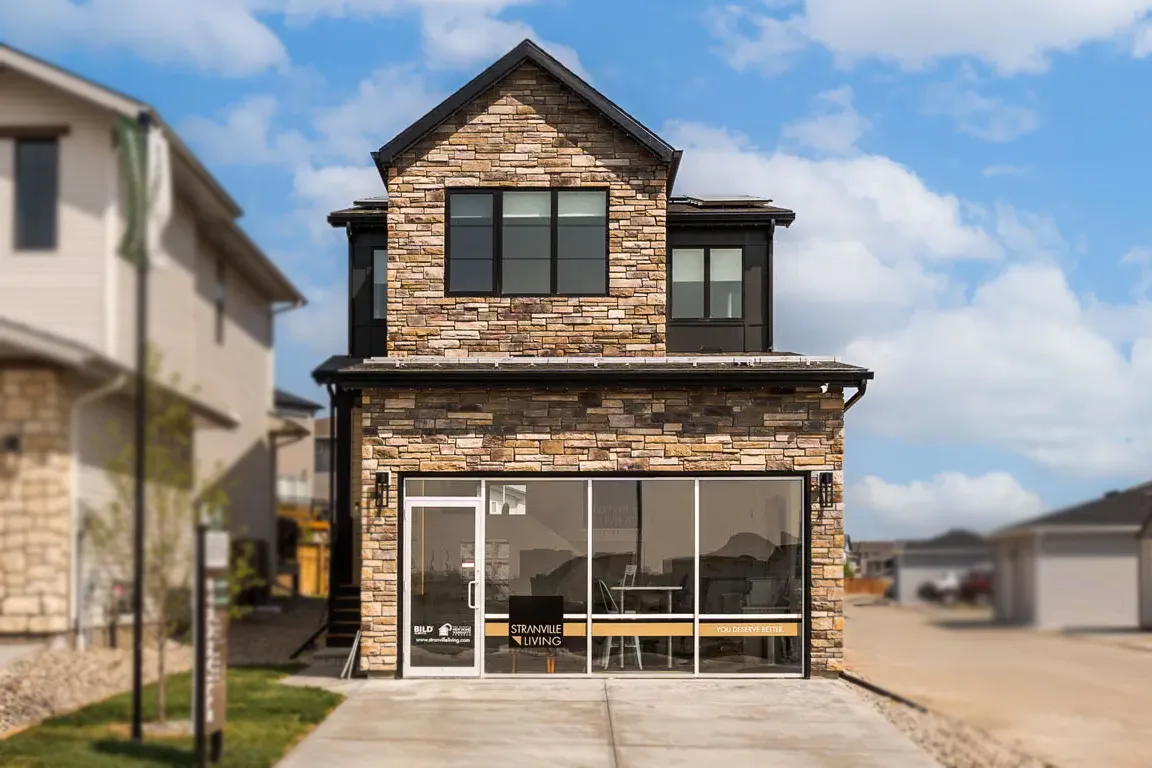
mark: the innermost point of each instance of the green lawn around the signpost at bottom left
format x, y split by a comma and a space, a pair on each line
266, 719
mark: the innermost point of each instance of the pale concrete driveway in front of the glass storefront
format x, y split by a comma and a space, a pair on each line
607, 724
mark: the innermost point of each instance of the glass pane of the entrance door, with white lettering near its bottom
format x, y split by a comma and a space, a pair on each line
443, 567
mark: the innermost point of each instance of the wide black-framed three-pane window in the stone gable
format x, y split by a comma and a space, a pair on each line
528, 242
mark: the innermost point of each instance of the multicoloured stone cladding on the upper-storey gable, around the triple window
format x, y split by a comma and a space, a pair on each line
528, 131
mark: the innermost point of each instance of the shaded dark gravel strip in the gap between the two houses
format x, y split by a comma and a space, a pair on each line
269, 638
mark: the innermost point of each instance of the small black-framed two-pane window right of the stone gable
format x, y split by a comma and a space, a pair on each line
708, 284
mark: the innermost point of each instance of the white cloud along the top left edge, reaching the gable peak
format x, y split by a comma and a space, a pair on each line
231, 37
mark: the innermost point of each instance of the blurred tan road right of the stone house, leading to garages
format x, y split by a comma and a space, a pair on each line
1074, 703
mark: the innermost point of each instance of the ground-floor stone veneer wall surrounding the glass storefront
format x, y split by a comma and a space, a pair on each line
598, 431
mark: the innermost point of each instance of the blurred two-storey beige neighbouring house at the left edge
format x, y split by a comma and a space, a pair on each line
67, 329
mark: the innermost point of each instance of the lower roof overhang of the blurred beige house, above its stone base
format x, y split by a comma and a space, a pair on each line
25, 344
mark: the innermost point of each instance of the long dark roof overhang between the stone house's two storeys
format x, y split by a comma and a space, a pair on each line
446, 372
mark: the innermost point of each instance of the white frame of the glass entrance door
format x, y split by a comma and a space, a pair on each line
478, 506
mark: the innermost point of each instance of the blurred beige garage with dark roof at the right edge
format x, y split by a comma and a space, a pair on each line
1077, 568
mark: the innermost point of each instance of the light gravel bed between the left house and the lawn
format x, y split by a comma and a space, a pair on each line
57, 682
